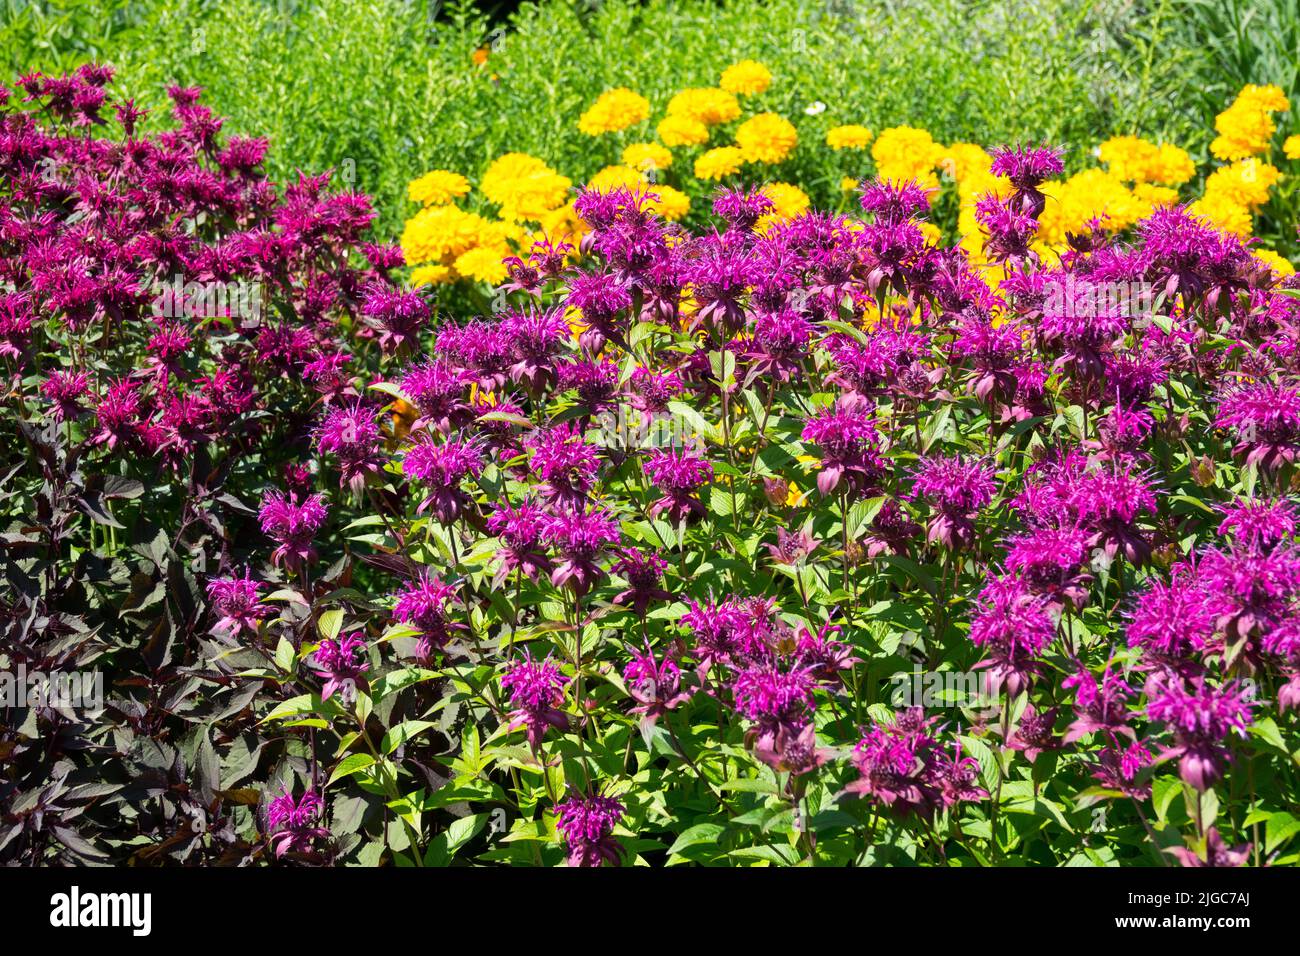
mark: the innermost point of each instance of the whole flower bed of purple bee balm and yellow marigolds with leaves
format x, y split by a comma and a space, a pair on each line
664, 520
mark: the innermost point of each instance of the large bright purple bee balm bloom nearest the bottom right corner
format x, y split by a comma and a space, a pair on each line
1201, 719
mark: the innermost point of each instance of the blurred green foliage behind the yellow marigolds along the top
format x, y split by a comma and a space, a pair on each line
383, 90
